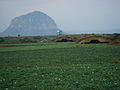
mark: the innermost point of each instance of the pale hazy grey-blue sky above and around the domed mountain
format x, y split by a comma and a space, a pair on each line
71, 16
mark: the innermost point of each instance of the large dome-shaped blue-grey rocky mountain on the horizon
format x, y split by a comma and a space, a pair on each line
32, 24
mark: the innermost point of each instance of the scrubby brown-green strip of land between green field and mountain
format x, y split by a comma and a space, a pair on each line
113, 38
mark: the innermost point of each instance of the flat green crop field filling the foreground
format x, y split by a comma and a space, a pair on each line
59, 66
